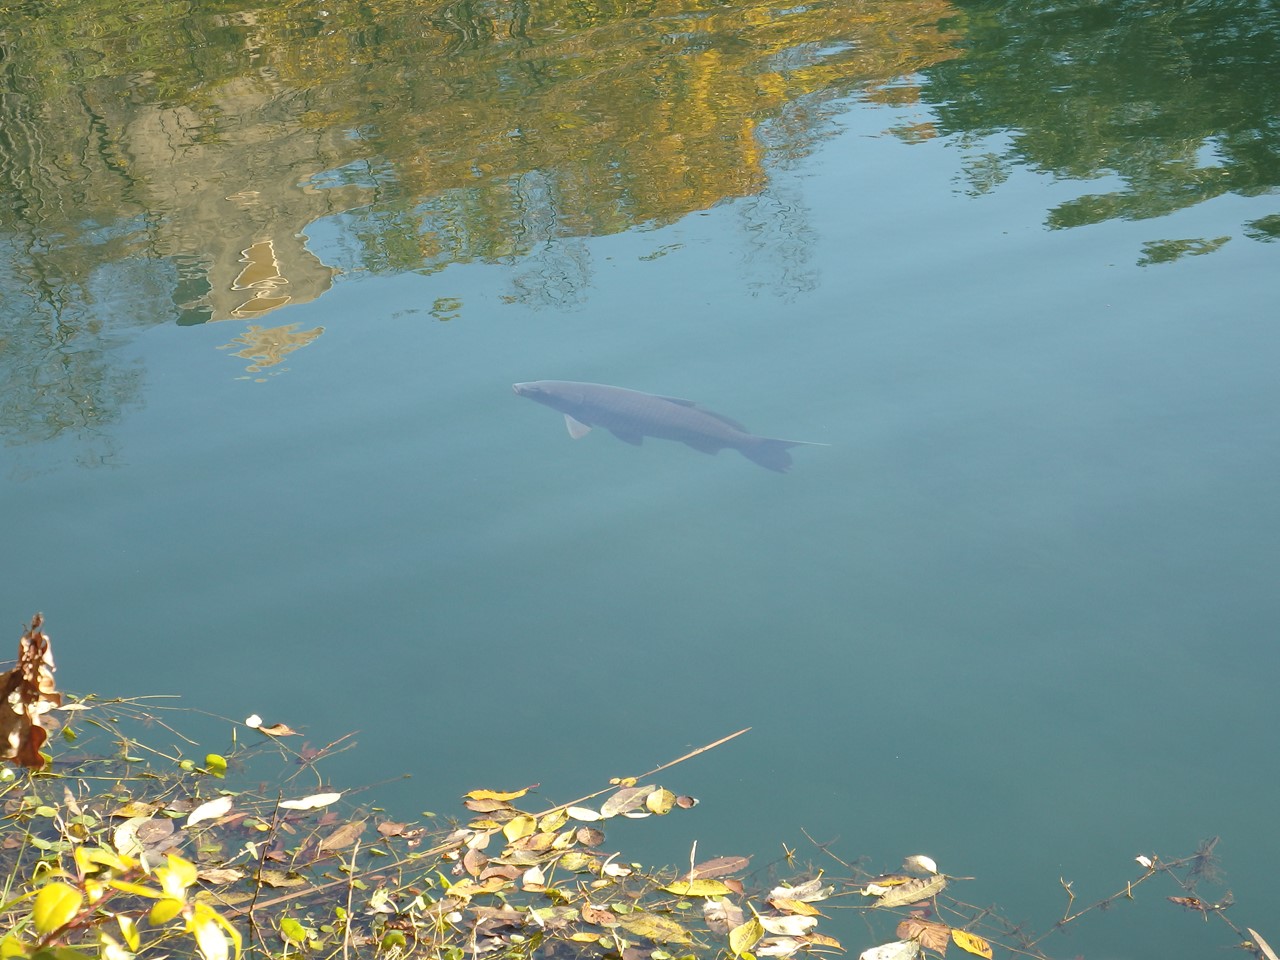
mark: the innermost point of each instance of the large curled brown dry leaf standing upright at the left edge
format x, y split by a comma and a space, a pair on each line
28, 693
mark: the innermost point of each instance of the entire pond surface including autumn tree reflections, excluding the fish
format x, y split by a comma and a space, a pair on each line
264, 296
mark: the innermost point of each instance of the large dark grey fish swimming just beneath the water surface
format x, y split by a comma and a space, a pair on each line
632, 417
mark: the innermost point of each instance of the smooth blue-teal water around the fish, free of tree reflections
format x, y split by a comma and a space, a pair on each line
1020, 615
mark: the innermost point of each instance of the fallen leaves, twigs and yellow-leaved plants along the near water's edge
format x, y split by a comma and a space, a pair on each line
117, 847
